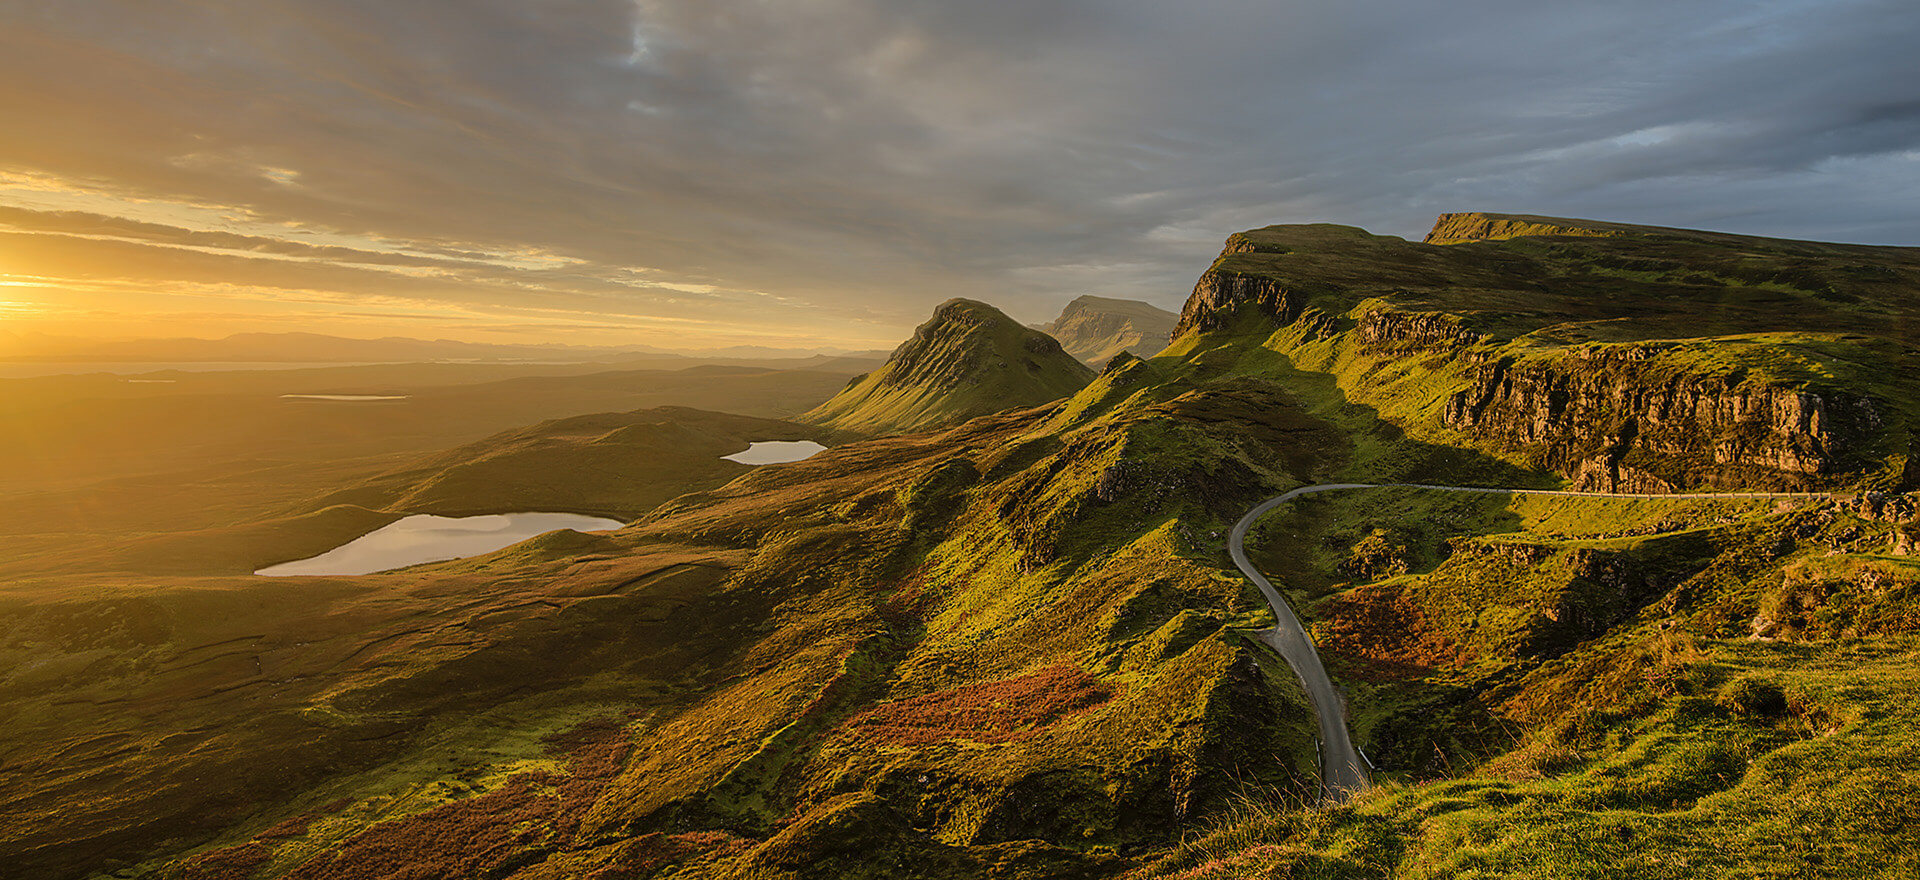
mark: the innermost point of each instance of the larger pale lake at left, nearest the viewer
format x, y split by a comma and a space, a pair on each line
427, 539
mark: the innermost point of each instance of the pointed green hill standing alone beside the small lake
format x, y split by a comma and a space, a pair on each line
967, 360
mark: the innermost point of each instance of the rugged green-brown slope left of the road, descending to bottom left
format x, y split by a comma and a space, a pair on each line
1022, 629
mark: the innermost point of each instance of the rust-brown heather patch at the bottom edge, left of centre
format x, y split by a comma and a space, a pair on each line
492, 833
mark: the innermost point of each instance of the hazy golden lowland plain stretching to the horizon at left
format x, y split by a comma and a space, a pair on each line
203, 474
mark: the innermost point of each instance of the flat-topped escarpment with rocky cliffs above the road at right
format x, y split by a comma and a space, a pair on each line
1620, 358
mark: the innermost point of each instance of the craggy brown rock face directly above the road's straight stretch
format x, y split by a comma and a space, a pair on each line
1620, 420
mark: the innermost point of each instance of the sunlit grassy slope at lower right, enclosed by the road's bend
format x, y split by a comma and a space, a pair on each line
1604, 689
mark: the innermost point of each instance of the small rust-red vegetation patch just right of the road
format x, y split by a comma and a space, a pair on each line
1376, 633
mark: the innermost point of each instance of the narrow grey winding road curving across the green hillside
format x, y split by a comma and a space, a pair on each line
1343, 770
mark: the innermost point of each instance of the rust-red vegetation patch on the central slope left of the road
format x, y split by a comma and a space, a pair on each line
992, 712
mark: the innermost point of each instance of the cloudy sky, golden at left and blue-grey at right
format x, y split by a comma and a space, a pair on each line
694, 174
